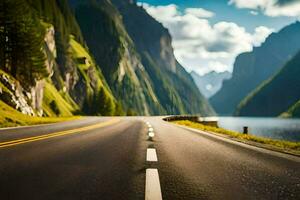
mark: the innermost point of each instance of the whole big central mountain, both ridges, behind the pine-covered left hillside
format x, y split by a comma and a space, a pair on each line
137, 59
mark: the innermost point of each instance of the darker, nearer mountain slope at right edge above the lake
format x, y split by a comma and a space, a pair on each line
275, 96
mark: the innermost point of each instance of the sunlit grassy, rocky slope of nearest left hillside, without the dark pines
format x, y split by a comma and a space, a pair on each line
75, 83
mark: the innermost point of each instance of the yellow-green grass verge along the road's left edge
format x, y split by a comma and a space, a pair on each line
10, 118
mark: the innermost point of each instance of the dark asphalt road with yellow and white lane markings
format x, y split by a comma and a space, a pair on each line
105, 158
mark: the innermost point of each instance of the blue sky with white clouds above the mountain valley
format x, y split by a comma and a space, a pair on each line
209, 34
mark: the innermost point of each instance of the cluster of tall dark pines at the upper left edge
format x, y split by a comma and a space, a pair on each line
22, 42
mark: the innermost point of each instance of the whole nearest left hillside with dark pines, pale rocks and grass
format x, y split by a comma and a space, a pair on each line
58, 76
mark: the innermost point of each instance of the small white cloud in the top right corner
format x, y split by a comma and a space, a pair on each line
273, 8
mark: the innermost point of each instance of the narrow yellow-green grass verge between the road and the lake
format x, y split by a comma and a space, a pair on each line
292, 147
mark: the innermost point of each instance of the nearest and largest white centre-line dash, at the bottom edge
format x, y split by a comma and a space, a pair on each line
152, 189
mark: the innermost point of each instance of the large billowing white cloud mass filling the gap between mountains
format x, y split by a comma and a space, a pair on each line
202, 46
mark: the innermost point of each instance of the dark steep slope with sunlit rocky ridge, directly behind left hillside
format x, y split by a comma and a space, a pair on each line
114, 51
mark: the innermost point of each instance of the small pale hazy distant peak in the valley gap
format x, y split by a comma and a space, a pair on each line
211, 82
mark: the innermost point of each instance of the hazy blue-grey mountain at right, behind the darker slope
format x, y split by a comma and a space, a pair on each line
252, 68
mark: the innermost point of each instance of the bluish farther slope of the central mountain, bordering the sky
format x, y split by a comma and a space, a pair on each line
173, 86
